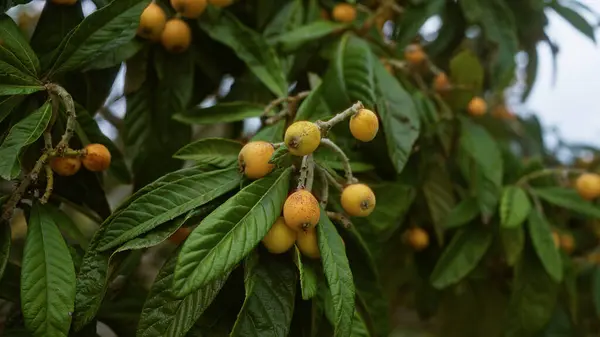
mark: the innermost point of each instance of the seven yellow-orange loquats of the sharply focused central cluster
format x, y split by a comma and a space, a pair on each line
301, 210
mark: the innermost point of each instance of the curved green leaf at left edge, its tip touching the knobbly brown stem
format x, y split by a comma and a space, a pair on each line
24, 133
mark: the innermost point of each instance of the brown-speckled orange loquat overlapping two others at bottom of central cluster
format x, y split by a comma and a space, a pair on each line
301, 210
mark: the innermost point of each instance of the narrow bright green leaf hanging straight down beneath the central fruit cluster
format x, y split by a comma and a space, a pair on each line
338, 274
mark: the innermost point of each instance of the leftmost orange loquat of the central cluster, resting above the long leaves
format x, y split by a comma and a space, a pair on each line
254, 158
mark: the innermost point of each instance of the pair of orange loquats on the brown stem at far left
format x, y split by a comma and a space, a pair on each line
94, 157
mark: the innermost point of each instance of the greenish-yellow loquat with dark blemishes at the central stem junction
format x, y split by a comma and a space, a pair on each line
302, 138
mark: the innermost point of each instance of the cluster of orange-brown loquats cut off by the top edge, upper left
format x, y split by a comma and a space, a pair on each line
174, 33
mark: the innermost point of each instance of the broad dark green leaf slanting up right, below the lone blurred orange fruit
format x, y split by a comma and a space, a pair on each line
467, 248
